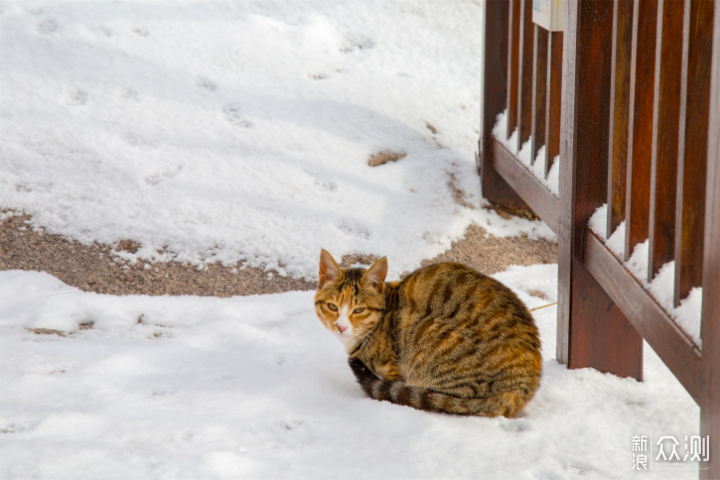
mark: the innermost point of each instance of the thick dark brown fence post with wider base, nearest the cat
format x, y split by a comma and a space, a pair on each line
592, 330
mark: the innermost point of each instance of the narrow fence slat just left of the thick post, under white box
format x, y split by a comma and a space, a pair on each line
554, 100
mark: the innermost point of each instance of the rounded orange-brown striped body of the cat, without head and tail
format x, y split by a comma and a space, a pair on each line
453, 318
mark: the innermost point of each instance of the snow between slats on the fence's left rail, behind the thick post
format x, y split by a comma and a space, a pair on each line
537, 168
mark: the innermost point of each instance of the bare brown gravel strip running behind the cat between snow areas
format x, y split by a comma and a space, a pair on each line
93, 268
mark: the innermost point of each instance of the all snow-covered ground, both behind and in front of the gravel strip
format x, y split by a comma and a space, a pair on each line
240, 131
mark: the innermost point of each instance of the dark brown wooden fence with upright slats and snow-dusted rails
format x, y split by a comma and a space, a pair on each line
628, 96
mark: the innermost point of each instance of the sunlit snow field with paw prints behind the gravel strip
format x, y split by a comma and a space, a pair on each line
241, 131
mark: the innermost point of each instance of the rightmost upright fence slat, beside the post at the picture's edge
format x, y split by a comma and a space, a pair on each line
692, 150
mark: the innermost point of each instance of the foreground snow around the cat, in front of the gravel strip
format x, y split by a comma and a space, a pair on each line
255, 387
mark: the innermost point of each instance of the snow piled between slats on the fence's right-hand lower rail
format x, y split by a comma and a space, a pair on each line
688, 314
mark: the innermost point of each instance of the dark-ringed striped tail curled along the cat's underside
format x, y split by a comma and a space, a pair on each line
508, 403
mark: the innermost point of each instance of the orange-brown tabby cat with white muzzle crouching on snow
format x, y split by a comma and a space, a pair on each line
444, 339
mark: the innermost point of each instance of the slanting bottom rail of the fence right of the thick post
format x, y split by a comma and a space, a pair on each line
671, 344
